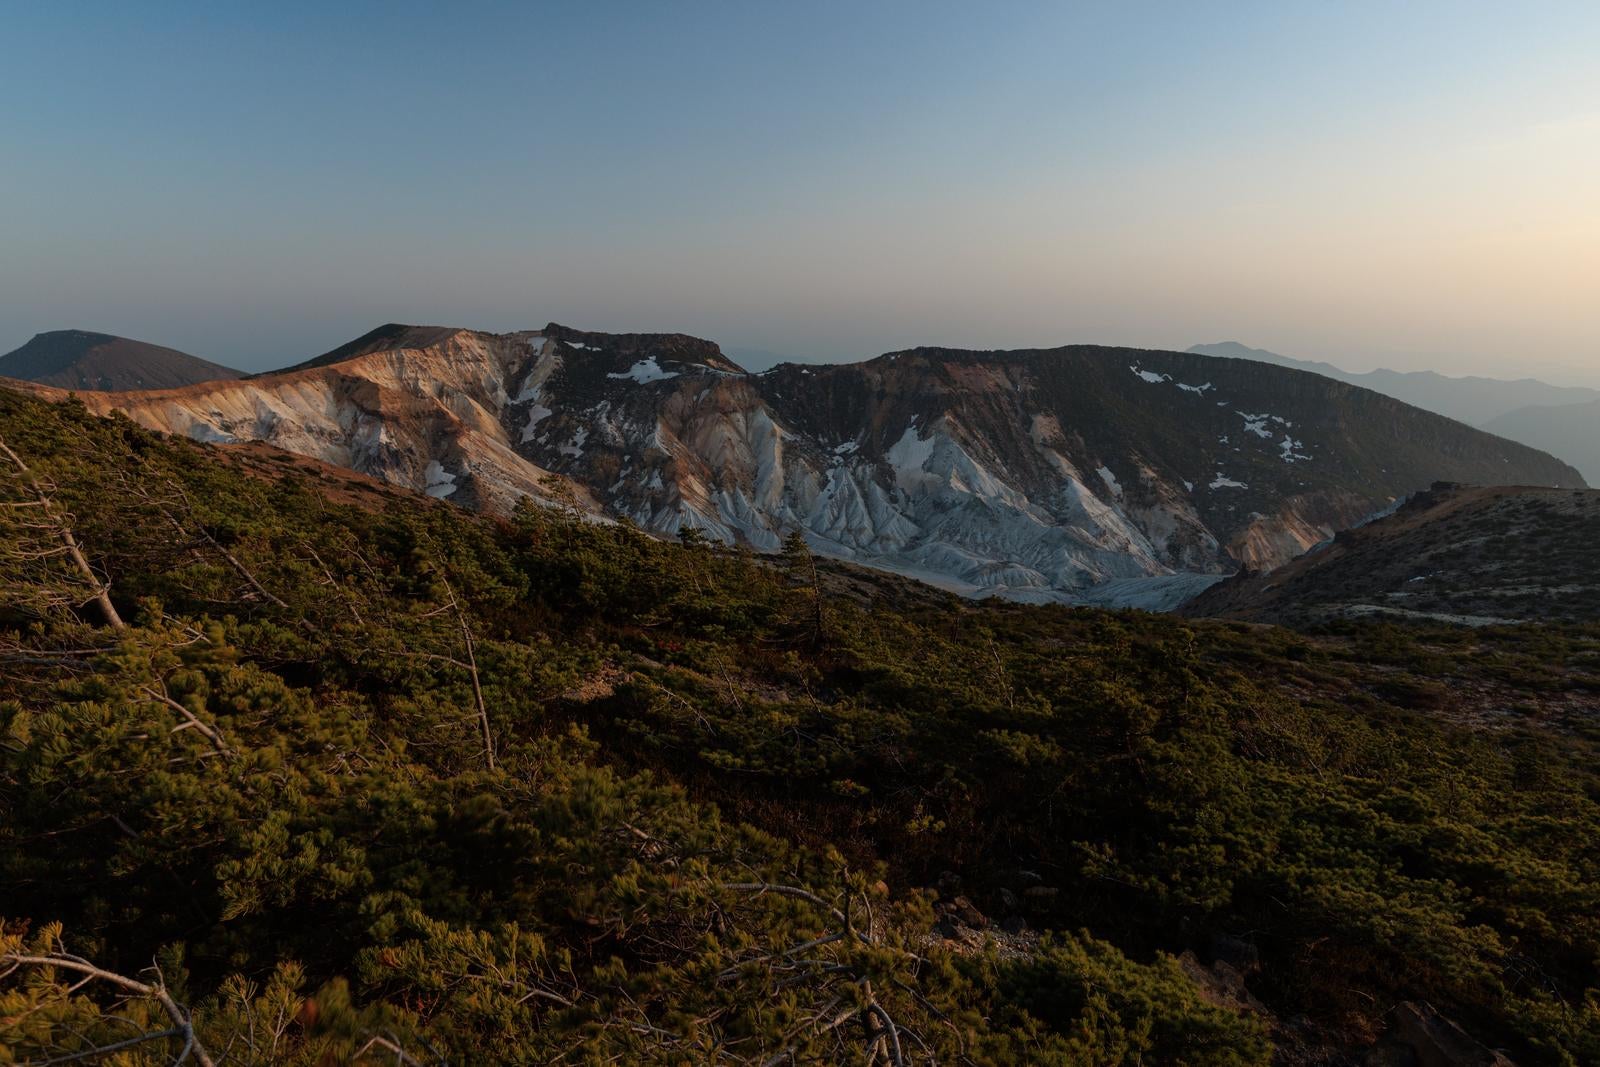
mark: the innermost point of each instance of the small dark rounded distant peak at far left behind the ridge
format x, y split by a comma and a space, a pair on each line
78, 359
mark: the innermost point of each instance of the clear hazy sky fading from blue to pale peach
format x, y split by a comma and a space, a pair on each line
1374, 185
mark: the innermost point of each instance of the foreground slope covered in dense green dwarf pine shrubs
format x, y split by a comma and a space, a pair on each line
366, 773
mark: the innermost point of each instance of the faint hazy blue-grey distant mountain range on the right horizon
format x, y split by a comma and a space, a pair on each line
1473, 401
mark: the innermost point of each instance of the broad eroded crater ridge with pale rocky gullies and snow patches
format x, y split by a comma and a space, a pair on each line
1070, 474
